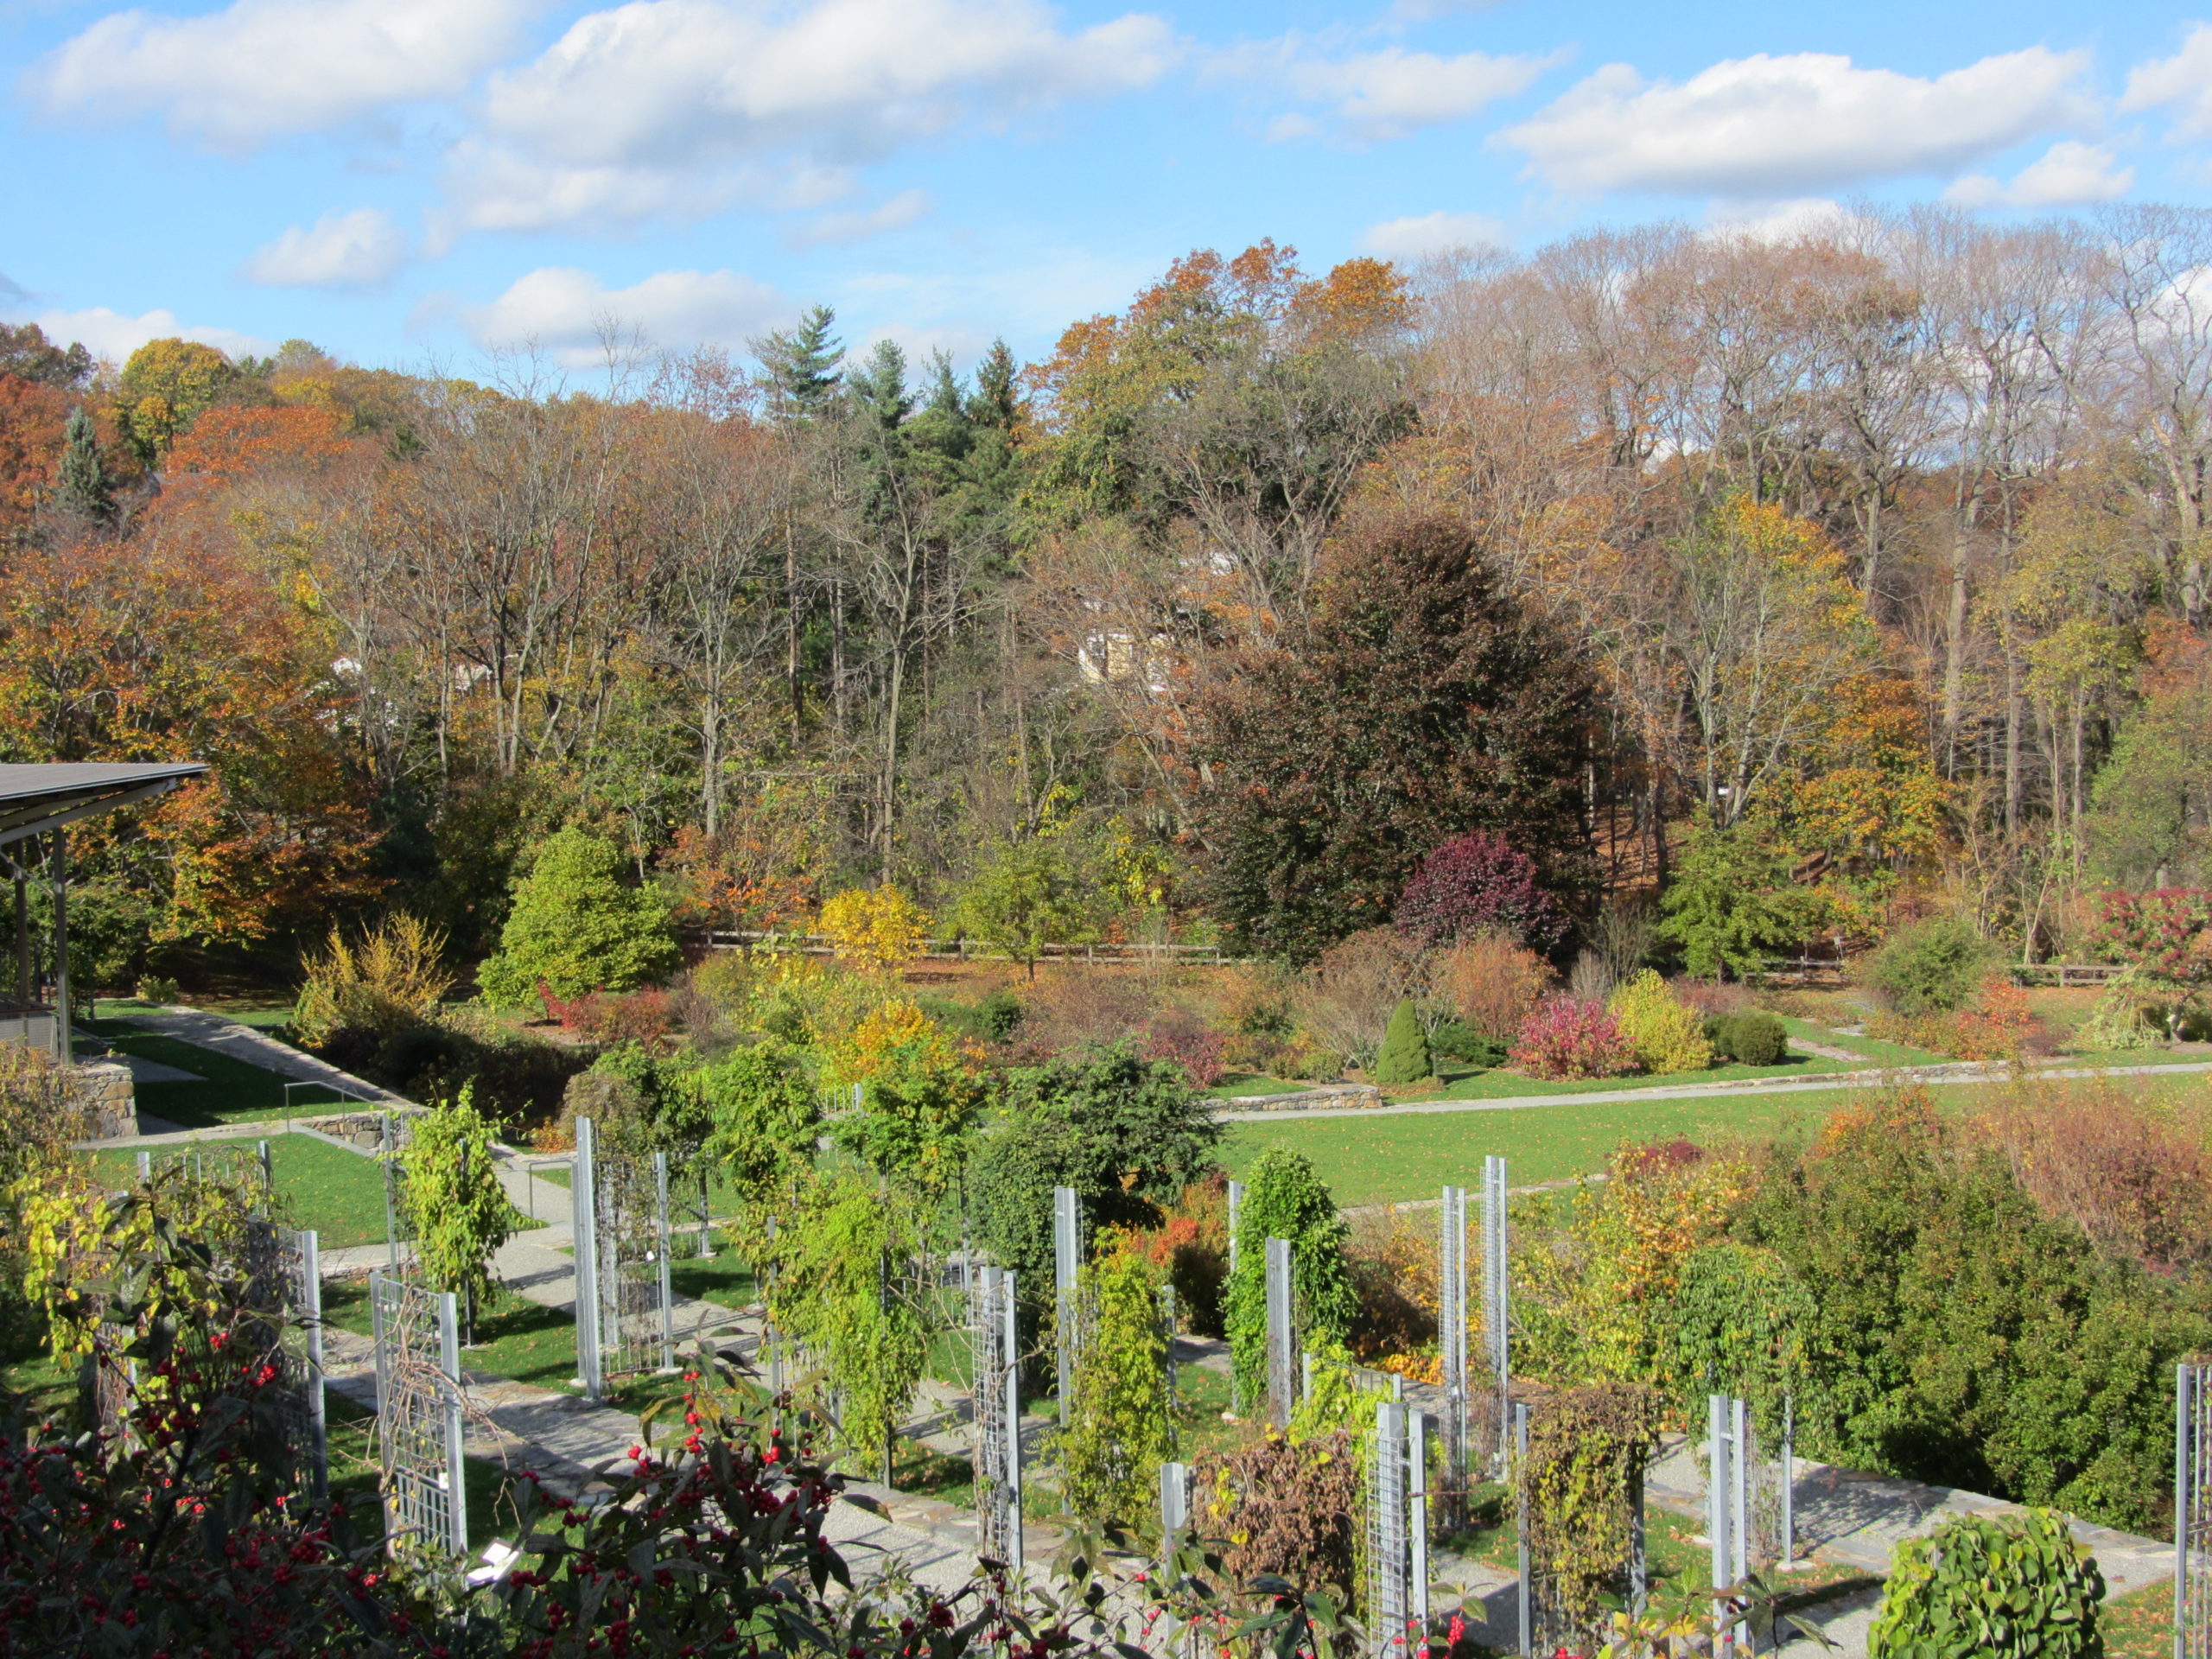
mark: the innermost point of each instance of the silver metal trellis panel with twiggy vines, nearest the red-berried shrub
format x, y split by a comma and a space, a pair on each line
419, 1408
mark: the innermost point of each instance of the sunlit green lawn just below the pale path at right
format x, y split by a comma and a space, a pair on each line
1397, 1158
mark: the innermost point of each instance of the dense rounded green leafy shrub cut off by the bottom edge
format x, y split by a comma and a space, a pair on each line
1996, 1587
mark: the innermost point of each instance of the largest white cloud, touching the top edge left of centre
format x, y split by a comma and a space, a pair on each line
680, 107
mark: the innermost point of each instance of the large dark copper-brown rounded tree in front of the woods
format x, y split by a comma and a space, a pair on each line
1419, 705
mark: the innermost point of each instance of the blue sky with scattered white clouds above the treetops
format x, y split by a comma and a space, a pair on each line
417, 182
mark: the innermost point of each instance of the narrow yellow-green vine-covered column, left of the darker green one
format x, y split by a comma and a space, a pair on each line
1118, 1401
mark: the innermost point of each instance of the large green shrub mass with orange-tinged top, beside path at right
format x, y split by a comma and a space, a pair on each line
1965, 1337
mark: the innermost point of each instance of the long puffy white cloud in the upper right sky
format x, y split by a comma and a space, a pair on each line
1782, 127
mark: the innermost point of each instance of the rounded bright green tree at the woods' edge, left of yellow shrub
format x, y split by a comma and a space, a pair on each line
578, 928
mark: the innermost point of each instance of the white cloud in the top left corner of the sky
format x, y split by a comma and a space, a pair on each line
260, 70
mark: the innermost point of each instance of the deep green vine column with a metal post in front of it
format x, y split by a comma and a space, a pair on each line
1286, 1200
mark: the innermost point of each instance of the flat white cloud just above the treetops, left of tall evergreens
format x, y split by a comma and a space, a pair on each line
565, 311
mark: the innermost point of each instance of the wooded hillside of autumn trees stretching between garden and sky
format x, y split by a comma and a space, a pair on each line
1848, 576
